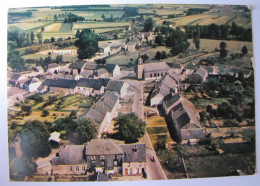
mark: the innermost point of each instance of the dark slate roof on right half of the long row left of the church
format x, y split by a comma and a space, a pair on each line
92, 83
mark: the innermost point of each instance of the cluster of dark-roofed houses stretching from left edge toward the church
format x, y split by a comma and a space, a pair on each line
86, 78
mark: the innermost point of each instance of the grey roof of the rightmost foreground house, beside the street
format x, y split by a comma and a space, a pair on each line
134, 152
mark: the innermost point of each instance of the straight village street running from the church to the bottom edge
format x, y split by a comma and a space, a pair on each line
154, 168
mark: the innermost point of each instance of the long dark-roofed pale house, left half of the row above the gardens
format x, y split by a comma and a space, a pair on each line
62, 86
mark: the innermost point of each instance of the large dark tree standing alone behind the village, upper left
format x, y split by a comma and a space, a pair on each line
87, 44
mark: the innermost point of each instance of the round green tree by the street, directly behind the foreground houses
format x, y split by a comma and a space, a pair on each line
129, 127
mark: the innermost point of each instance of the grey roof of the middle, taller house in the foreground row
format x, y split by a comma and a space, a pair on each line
102, 147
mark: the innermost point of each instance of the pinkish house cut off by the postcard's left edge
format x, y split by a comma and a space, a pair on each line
14, 95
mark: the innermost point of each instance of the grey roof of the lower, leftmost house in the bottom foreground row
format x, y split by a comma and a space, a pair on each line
70, 155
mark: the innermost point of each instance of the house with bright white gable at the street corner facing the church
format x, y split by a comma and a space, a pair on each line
119, 88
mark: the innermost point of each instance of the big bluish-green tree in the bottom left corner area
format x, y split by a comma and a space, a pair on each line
35, 140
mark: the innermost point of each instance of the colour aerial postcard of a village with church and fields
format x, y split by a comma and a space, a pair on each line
130, 92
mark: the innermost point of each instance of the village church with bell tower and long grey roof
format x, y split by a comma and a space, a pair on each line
151, 70
